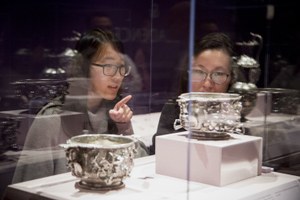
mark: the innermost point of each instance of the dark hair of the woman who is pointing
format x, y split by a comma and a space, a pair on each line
91, 42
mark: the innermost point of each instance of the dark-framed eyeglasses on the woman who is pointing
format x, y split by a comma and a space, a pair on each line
111, 70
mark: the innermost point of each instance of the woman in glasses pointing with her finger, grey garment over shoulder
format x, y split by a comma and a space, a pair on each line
102, 70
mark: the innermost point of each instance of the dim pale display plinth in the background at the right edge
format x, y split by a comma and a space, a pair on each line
280, 133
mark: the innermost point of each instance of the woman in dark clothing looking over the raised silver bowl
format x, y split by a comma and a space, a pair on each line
211, 72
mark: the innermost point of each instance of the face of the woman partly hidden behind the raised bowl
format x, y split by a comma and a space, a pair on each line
217, 65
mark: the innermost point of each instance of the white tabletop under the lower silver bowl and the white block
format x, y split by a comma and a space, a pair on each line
145, 184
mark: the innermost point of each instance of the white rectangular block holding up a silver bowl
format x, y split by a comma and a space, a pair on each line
218, 162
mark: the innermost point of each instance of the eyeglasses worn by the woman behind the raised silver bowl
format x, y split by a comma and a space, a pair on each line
216, 77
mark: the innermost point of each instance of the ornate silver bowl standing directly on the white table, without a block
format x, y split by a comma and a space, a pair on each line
101, 161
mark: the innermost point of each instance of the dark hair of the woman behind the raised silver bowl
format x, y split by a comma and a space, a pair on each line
211, 41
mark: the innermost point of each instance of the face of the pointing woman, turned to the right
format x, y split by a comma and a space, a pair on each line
105, 86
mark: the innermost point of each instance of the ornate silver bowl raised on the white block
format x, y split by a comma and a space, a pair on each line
209, 115
